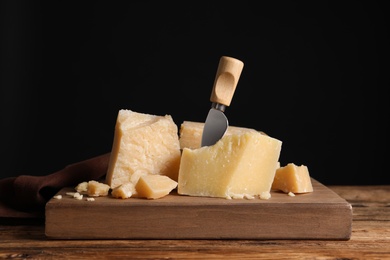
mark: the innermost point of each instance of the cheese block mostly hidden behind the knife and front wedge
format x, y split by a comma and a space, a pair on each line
190, 133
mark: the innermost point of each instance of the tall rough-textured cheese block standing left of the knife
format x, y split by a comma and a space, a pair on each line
143, 144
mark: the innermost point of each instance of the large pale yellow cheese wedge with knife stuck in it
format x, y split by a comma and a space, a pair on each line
237, 166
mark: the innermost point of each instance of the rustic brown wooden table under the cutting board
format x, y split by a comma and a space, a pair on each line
370, 239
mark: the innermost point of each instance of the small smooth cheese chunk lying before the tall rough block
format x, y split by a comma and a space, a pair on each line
154, 186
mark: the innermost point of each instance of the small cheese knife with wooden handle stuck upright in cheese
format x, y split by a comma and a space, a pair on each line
225, 83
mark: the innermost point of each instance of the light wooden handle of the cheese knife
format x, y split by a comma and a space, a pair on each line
226, 79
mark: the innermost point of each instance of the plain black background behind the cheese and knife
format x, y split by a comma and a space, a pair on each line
315, 77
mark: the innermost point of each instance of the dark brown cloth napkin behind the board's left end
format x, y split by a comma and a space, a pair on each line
26, 196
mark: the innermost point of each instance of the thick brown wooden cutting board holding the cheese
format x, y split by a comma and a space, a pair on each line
321, 214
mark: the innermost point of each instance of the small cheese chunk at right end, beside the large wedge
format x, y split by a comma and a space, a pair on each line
292, 178
